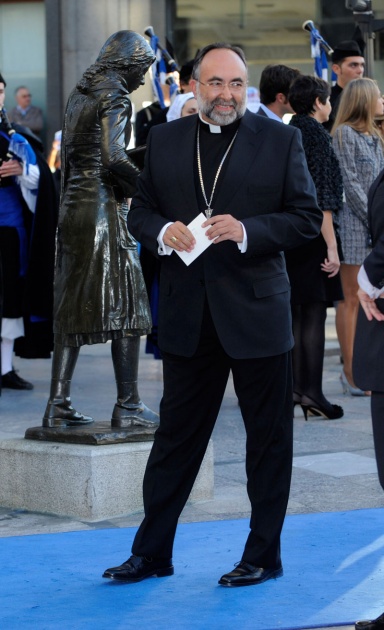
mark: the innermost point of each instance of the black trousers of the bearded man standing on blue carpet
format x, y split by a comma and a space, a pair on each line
193, 391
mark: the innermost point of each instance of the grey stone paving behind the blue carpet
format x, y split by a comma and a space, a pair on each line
334, 465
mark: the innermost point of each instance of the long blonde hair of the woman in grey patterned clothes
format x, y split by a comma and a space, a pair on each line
357, 106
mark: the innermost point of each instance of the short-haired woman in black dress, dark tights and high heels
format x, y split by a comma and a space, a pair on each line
313, 268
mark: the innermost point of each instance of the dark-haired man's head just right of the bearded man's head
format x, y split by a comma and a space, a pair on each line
274, 85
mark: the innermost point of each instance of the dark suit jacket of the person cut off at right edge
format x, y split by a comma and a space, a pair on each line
368, 355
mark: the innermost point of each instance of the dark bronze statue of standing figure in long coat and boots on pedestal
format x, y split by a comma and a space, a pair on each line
99, 291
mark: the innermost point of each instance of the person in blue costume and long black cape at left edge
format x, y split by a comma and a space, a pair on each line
28, 216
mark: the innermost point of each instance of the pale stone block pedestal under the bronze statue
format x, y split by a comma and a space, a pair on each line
86, 482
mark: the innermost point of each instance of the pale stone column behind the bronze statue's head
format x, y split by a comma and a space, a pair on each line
75, 33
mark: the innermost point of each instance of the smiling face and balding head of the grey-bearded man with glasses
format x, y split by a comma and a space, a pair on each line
221, 90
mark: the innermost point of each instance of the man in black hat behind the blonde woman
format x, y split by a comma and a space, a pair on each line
348, 64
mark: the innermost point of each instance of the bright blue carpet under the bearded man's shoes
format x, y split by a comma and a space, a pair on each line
333, 575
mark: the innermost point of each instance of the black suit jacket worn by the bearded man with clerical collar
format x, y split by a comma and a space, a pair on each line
267, 186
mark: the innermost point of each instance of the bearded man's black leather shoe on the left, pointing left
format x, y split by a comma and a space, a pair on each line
137, 568
